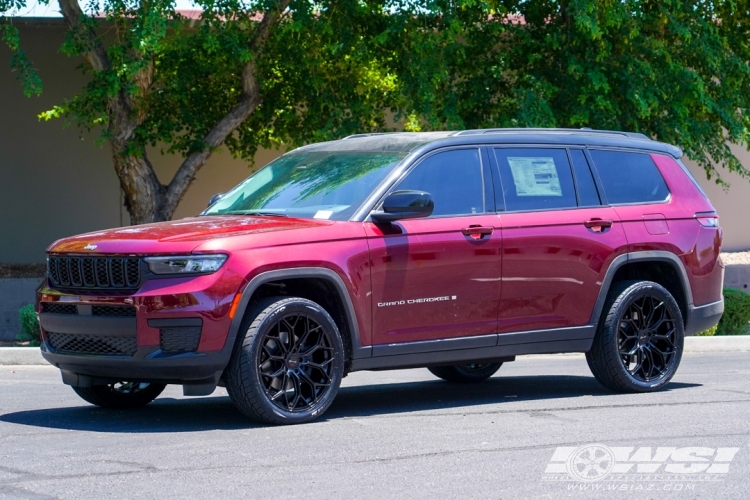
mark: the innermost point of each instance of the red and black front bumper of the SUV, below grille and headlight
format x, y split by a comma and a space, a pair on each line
176, 332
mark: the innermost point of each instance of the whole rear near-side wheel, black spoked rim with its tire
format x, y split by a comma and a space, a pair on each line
638, 344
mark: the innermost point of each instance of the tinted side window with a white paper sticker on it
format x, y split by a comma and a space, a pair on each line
536, 179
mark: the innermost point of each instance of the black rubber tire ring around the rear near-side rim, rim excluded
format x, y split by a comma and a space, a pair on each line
611, 326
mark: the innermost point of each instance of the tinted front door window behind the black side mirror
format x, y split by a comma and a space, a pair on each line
453, 178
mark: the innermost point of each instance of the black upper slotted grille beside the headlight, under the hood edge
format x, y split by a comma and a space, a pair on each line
95, 272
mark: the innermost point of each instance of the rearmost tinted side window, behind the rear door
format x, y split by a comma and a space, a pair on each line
629, 177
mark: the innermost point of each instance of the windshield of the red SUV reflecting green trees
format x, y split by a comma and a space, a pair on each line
309, 184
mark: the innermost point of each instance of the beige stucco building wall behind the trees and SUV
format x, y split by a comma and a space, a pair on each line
55, 182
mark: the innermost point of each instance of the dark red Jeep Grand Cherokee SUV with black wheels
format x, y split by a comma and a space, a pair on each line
454, 251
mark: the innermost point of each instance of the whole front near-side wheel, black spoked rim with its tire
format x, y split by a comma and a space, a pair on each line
288, 362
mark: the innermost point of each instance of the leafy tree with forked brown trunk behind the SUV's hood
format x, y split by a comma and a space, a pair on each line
264, 73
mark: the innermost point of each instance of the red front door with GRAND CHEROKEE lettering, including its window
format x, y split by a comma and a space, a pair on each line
439, 277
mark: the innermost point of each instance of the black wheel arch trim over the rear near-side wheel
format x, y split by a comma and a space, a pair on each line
661, 267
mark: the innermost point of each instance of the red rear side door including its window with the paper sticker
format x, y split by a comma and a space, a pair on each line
558, 238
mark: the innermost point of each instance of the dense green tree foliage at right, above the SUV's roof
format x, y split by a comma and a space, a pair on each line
675, 70
